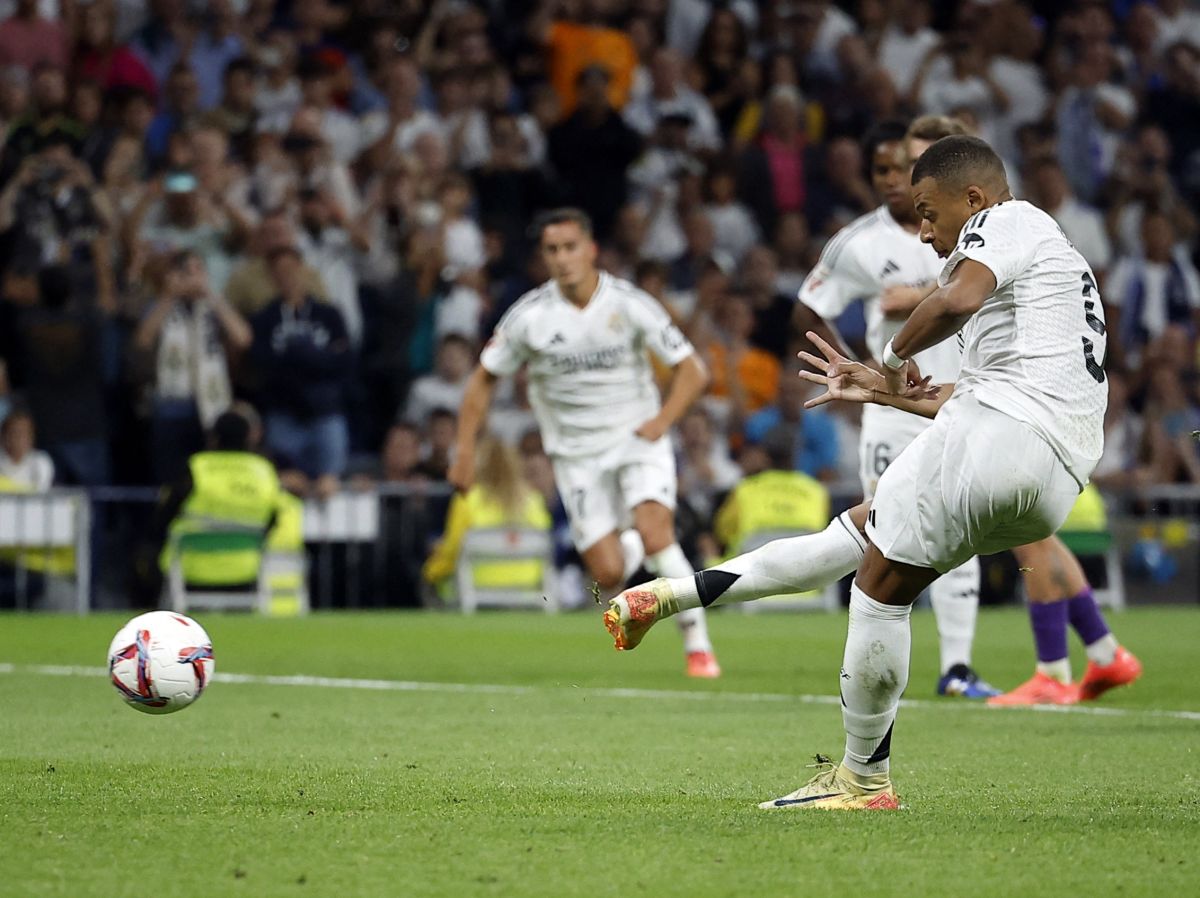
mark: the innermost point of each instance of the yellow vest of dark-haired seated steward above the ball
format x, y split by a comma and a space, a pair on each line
231, 490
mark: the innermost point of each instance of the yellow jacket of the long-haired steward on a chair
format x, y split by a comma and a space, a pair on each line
477, 510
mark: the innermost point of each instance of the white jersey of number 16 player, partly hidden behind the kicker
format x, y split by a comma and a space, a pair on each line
865, 259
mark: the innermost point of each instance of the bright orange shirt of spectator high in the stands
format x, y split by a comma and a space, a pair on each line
575, 43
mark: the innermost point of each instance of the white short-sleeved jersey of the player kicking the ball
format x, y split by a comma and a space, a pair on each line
1036, 350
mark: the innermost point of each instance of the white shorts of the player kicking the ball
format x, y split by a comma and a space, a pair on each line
976, 483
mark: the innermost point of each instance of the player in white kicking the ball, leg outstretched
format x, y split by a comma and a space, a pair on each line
1004, 463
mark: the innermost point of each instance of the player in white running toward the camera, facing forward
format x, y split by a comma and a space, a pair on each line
584, 337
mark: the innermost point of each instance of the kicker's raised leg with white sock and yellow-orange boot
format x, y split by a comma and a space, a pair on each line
783, 567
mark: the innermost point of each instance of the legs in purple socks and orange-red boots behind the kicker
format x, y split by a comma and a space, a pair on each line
1059, 596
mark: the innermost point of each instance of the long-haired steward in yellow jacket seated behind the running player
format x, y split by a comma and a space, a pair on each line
501, 496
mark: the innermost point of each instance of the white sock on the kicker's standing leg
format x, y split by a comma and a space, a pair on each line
874, 674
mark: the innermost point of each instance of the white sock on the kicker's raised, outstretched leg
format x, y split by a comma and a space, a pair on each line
783, 567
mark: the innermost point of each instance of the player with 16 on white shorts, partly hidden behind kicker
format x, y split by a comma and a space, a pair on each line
881, 260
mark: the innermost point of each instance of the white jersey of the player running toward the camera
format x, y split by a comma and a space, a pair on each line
591, 384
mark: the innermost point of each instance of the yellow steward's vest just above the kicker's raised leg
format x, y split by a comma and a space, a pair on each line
771, 501
